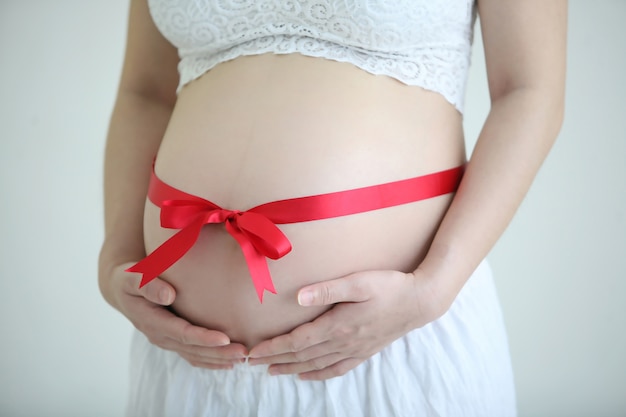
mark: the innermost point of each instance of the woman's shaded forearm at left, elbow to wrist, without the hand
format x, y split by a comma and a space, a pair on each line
135, 132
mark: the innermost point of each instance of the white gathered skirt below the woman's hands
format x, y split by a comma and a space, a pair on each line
457, 366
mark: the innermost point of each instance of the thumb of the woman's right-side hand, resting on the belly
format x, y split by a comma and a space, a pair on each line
351, 288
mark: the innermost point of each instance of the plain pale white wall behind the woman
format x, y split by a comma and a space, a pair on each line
561, 266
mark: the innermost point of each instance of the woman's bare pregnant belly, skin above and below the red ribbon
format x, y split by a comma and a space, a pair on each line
268, 127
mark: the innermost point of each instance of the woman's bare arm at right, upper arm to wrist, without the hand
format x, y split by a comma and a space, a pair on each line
525, 53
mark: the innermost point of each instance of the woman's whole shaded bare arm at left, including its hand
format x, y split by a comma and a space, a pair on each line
145, 101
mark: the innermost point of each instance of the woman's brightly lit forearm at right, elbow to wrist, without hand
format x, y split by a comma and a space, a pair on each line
516, 138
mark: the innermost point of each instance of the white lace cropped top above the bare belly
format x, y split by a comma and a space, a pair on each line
424, 43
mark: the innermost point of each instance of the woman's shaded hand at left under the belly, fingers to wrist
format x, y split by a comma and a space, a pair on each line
147, 309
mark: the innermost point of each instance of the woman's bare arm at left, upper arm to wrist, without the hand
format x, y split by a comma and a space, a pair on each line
142, 110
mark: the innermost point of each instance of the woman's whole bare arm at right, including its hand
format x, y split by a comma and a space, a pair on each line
525, 52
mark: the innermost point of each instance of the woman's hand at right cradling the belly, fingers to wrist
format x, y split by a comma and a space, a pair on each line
372, 309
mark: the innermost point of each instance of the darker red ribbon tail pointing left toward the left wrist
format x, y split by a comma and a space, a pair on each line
168, 253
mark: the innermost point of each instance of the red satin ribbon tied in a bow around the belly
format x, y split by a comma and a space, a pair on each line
255, 230
